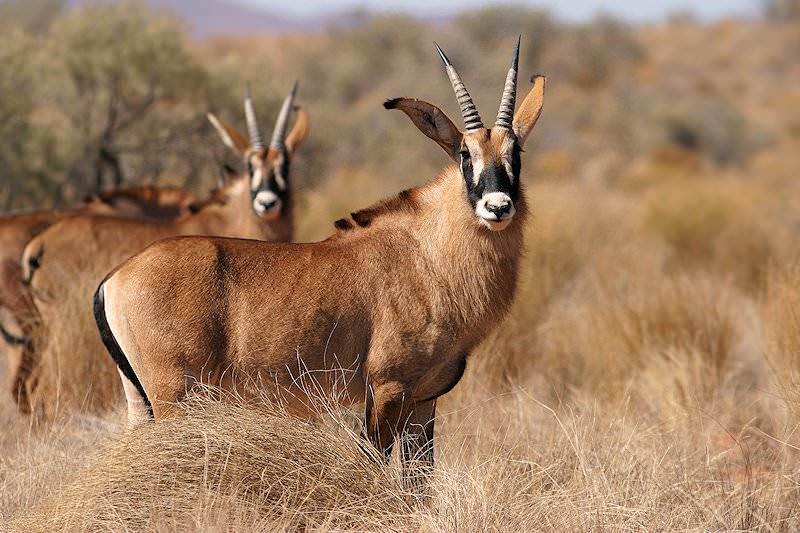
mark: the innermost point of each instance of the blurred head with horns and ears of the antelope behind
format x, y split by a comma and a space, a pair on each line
267, 166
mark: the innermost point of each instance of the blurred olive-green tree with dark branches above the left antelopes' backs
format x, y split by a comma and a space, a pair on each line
121, 83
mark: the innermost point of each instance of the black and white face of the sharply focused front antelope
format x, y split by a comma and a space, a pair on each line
492, 181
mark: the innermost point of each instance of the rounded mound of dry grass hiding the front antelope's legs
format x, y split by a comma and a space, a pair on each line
230, 464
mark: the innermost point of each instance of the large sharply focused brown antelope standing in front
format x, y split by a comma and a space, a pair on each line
394, 301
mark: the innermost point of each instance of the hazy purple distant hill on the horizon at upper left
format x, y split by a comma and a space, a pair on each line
217, 17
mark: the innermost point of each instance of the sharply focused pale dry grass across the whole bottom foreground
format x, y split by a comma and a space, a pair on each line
505, 462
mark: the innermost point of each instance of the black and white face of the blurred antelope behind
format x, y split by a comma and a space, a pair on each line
268, 184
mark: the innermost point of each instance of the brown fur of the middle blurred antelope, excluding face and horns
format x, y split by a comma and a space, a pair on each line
107, 241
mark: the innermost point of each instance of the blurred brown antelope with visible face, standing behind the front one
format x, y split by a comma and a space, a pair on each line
257, 206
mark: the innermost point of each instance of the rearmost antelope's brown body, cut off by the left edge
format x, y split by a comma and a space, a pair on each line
17, 312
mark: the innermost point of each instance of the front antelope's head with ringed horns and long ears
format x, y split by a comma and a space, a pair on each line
488, 158
